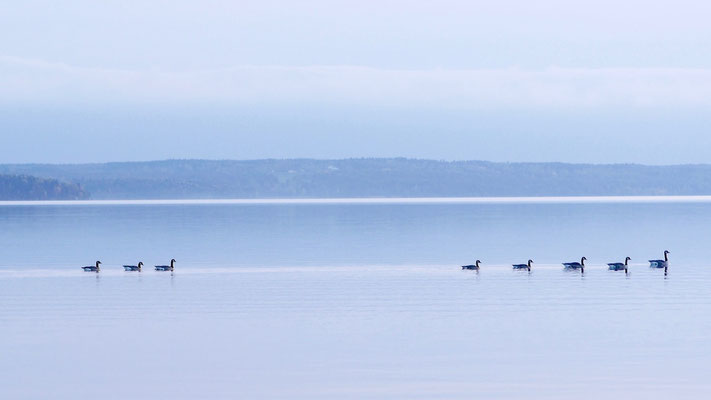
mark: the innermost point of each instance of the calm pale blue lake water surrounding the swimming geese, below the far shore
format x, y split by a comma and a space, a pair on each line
361, 301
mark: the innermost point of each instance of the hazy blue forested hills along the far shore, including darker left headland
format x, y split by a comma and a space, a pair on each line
365, 177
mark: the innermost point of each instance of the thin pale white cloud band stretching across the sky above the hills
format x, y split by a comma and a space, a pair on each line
27, 81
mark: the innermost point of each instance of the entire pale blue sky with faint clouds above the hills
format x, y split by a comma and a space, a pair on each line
586, 81
